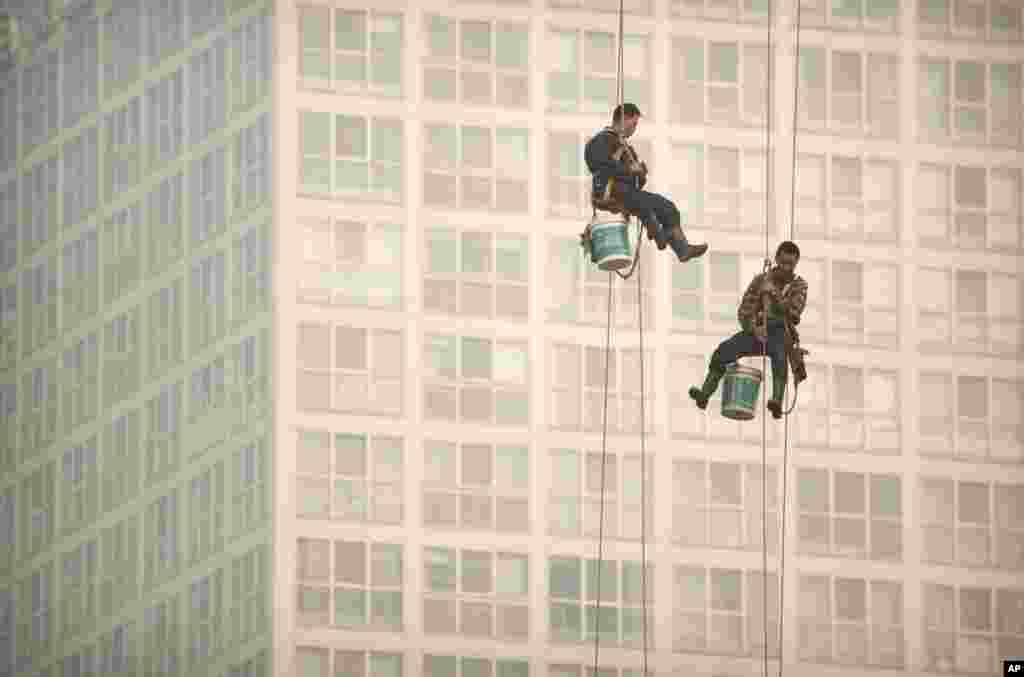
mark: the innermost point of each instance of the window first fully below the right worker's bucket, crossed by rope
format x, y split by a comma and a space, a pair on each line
719, 505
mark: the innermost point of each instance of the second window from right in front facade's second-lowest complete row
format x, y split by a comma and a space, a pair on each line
850, 515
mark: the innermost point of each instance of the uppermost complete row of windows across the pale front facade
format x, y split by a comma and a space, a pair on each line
488, 63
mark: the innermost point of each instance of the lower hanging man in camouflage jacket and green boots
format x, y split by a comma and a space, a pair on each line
769, 314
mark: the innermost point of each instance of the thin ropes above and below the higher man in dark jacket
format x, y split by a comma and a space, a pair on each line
634, 268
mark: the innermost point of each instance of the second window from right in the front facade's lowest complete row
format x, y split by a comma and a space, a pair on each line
851, 621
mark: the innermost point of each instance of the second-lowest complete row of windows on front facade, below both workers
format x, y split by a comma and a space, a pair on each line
482, 486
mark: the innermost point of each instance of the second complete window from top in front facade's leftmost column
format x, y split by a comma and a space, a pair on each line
365, 160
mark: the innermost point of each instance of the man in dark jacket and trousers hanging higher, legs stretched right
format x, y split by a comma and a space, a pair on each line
619, 181
